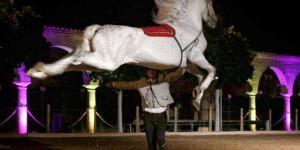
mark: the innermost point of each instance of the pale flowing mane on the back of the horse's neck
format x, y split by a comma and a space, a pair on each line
166, 10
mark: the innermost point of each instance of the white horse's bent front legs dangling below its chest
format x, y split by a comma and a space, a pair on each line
201, 61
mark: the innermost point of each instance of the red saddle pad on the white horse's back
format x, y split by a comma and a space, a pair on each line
163, 30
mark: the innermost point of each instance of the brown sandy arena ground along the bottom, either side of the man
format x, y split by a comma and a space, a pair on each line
137, 141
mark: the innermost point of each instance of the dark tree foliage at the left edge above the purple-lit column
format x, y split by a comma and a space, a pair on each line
21, 35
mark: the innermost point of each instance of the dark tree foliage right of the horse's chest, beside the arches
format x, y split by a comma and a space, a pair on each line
231, 54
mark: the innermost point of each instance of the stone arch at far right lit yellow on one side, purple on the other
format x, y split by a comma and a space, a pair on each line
286, 68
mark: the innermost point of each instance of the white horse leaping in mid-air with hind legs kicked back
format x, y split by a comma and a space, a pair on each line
105, 48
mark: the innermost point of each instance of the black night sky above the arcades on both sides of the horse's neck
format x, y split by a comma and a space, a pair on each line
268, 26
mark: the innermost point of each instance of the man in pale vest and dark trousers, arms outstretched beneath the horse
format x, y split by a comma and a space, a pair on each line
156, 96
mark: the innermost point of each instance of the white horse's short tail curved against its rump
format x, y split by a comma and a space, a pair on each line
88, 35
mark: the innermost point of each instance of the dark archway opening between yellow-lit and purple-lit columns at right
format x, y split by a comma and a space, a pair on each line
270, 97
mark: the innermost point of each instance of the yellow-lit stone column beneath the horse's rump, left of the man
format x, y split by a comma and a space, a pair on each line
91, 110
